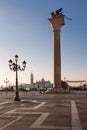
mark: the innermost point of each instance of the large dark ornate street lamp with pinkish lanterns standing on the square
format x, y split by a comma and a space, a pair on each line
15, 67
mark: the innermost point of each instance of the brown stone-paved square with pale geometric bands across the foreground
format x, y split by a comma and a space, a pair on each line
43, 111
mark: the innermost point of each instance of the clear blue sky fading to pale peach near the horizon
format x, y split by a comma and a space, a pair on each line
25, 31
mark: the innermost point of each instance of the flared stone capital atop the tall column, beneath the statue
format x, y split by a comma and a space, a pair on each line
56, 22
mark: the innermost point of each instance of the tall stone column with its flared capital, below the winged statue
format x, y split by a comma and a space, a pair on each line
56, 23
